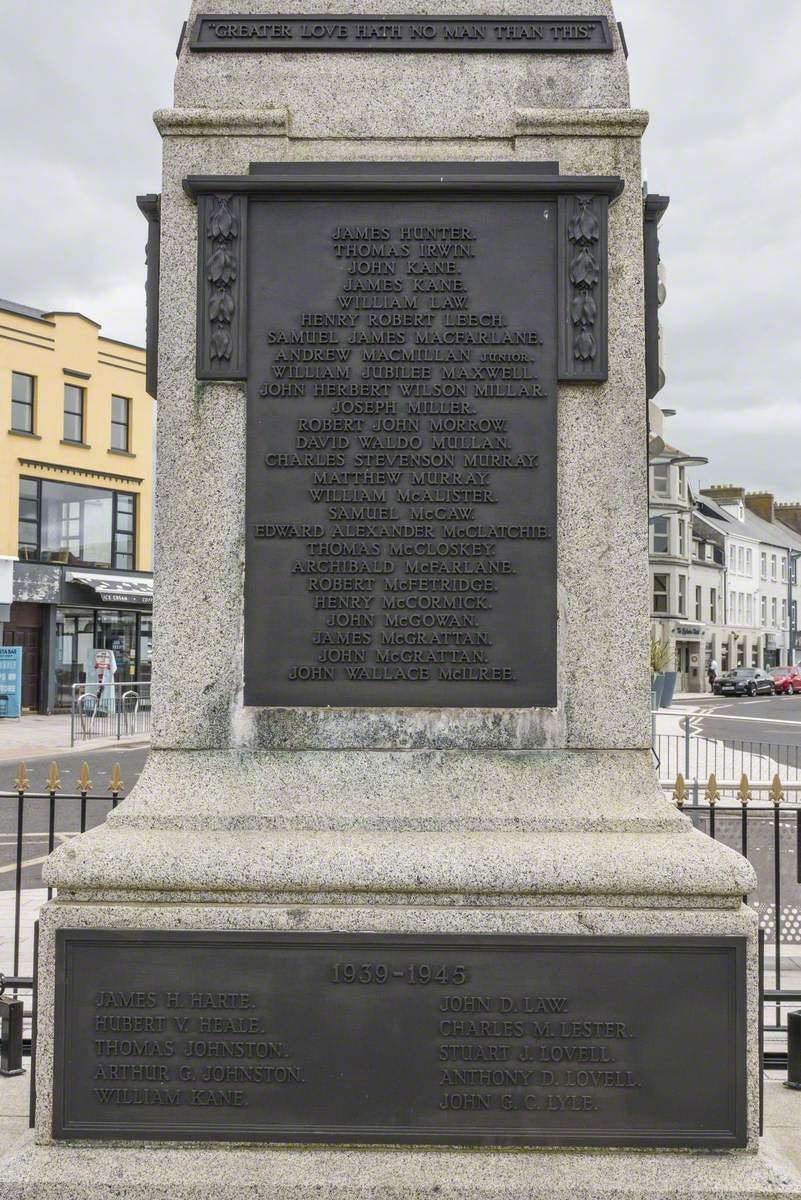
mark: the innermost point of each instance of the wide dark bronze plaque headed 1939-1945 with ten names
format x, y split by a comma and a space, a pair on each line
501, 1041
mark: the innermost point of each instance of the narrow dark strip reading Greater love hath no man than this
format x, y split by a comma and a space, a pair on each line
326, 33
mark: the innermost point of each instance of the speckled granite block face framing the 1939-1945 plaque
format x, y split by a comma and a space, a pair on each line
426, 917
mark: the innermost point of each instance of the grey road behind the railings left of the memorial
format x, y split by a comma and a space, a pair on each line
68, 813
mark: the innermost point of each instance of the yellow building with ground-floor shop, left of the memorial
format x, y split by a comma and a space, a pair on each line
76, 501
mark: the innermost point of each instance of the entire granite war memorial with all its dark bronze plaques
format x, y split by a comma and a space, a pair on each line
398, 908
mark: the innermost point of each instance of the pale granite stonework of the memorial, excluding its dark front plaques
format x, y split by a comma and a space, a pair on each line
399, 820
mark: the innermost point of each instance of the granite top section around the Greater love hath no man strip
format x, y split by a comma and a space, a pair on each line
405, 95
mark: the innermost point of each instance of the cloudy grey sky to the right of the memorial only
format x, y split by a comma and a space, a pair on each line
722, 85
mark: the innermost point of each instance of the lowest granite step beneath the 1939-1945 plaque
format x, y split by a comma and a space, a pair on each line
237, 1173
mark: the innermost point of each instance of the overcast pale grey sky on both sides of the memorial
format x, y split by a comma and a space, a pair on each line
721, 80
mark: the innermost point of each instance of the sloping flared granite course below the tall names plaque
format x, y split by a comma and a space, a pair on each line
451, 790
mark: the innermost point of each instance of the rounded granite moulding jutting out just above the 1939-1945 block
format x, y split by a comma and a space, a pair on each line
541, 863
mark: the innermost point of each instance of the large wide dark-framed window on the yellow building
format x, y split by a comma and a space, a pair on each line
76, 525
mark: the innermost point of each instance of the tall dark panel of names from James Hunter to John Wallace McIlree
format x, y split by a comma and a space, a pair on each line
402, 454
